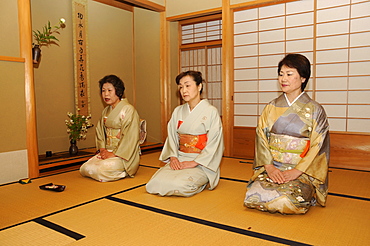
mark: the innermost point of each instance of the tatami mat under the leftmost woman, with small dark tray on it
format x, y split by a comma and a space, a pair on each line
23, 202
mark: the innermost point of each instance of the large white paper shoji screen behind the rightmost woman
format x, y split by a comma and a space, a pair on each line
334, 35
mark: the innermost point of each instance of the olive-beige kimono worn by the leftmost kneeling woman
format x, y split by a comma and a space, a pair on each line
118, 132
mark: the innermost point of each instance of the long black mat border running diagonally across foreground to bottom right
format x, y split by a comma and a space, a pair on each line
208, 223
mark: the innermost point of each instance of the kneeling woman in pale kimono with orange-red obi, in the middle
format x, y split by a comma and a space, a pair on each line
194, 146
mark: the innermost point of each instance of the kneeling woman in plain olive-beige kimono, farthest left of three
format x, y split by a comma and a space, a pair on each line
117, 136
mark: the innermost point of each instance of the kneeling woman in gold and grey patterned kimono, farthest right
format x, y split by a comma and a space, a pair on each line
292, 147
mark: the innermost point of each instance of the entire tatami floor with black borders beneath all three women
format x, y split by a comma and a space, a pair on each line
121, 212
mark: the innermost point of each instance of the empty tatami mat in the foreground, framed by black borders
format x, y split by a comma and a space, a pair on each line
119, 224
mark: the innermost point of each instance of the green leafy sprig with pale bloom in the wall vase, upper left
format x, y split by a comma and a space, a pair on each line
46, 36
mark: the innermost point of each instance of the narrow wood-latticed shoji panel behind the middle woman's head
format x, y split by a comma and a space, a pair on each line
201, 51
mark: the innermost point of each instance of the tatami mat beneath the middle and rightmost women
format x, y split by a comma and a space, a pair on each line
349, 217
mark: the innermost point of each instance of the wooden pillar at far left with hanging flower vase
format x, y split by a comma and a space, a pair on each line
25, 33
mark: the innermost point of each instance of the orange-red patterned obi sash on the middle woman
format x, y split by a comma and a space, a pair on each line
192, 143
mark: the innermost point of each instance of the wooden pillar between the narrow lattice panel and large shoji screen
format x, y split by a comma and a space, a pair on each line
227, 76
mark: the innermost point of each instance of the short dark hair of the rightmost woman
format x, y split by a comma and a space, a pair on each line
299, 62
